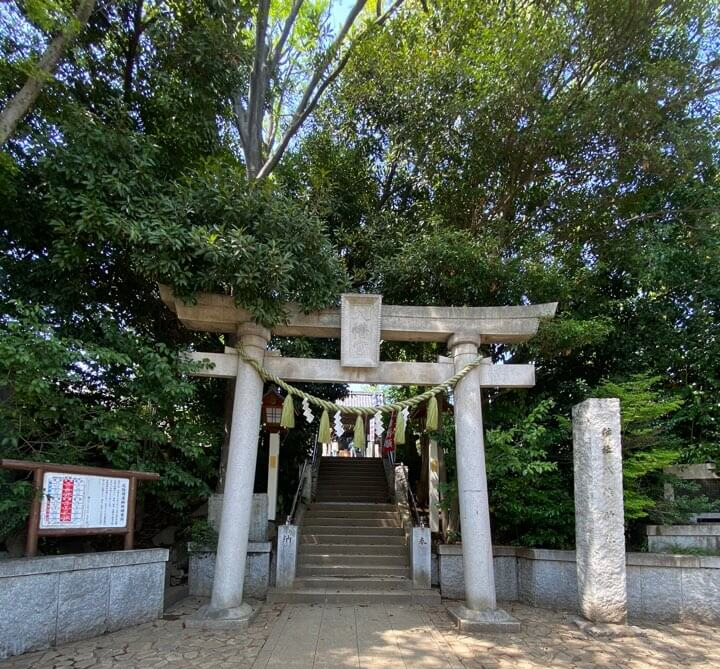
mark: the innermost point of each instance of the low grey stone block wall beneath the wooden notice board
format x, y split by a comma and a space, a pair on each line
52, 600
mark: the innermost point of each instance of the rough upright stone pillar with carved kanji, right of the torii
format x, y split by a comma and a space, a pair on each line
599, 514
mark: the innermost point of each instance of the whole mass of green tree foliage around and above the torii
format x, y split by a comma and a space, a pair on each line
471, 154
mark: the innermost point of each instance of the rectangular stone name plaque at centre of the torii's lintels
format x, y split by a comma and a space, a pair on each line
360, 330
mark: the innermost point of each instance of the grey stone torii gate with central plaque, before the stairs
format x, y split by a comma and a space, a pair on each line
361, 323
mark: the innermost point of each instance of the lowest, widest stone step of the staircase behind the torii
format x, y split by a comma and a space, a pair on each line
354, 597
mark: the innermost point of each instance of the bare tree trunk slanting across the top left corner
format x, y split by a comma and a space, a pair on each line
25, 98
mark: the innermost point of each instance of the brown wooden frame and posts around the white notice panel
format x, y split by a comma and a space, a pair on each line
39, 470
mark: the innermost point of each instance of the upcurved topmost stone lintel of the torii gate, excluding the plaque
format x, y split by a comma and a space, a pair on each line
508, 325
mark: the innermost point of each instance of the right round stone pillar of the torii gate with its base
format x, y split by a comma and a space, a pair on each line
480, 611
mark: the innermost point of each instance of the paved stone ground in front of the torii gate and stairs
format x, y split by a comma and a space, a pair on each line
380, 637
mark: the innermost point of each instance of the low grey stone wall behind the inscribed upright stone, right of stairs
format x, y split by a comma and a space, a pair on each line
659, 587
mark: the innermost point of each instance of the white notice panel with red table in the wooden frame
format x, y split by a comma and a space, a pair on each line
82, 502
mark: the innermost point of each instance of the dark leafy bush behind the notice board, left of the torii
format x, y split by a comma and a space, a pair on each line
125, 403
